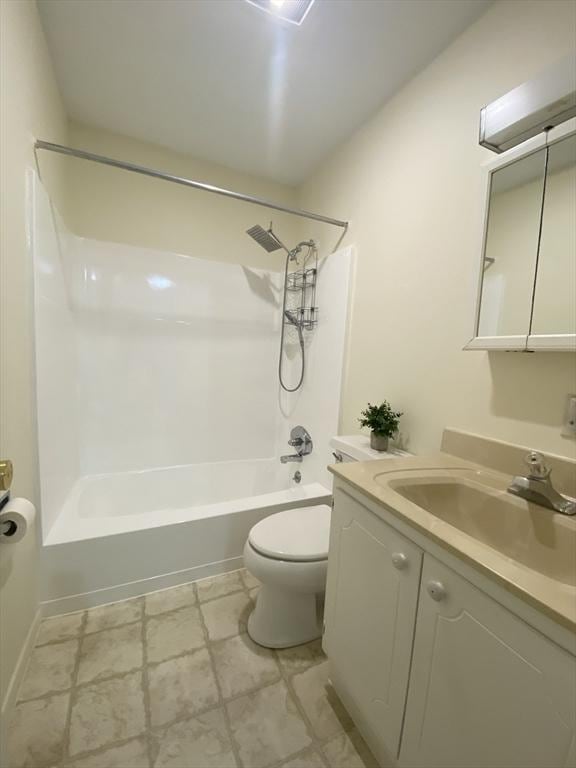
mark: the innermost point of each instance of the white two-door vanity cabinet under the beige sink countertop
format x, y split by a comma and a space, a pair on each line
434, 671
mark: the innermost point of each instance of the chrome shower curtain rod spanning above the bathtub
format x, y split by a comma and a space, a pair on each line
83, 155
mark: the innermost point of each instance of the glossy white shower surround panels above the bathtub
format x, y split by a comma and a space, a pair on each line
148, 359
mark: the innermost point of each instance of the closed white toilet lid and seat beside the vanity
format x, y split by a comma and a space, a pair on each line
296, 535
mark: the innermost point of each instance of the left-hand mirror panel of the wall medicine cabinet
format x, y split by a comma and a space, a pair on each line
511, 246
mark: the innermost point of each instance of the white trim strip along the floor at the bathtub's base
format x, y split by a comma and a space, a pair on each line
114, 594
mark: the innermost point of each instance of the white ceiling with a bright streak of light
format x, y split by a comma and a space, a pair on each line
224, 81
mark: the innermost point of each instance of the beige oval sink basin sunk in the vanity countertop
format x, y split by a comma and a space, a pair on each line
527, 533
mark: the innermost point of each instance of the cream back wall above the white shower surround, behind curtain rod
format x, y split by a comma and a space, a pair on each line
110, 204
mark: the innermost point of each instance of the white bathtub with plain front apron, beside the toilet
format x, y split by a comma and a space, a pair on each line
124, 534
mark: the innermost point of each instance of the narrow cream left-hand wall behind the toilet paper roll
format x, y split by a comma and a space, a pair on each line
29, 106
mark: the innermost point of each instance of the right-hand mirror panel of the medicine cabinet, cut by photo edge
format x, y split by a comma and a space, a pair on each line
555, 295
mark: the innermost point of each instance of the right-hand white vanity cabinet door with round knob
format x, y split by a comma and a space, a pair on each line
486, 690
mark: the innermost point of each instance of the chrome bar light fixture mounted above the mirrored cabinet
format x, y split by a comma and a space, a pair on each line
531, 108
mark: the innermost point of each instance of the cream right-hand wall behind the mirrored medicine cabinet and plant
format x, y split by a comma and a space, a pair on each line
410, 181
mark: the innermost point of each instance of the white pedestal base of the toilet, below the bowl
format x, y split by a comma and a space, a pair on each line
283, 619
